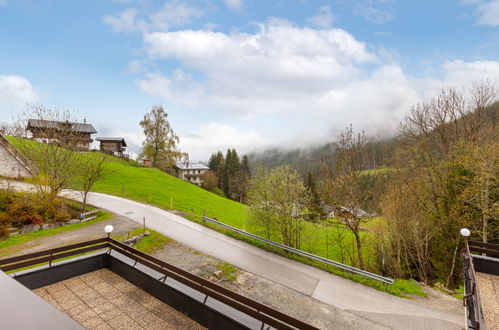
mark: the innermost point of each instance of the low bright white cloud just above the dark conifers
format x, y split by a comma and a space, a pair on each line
217, 136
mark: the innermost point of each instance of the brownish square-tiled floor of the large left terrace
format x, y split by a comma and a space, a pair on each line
103, 300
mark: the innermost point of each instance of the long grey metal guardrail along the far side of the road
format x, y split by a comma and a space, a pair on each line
386, 280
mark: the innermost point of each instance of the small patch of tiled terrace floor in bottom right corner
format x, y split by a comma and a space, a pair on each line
488, 287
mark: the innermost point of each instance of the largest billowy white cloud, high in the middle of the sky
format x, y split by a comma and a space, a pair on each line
259, 73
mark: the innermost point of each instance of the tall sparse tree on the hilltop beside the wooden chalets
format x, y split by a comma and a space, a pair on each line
161, 142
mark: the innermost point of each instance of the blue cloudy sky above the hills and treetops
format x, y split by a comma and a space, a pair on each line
239, 73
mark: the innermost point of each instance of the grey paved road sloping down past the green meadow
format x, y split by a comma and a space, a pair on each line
378, 307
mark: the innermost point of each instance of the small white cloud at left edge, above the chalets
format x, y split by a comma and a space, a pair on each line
16, 91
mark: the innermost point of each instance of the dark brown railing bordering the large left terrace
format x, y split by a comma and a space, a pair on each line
267, 315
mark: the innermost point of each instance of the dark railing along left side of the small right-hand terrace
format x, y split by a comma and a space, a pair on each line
471, 299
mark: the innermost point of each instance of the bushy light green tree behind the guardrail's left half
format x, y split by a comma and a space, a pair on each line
277, 199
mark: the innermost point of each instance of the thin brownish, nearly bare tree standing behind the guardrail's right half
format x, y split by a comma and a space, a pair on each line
343, 187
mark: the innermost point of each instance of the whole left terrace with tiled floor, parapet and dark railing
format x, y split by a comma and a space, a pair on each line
105, 284
